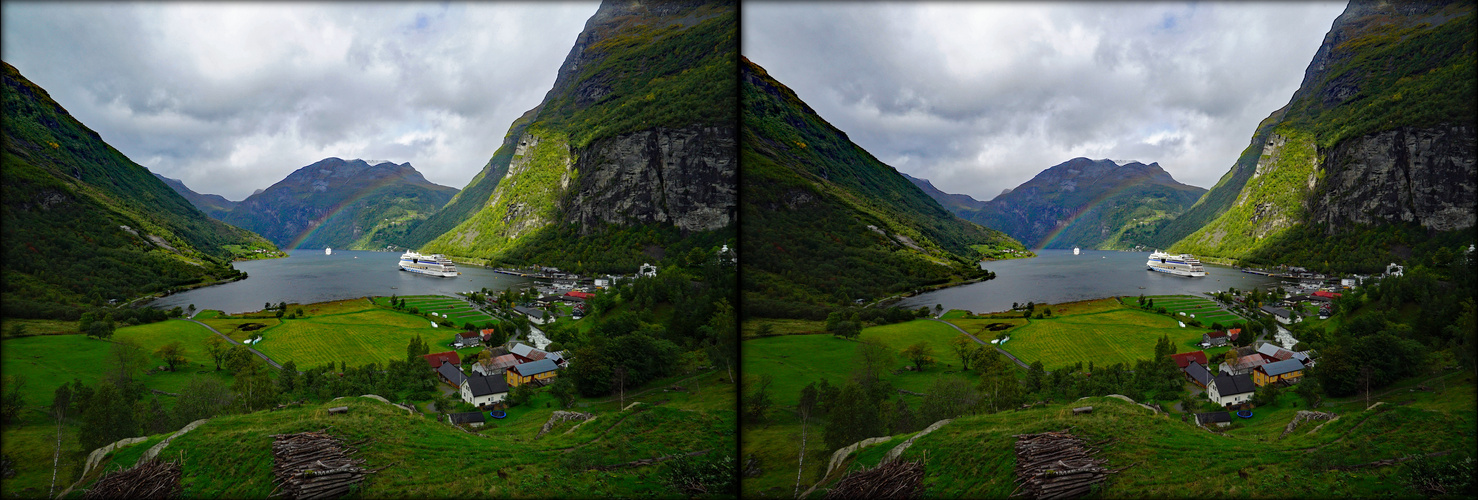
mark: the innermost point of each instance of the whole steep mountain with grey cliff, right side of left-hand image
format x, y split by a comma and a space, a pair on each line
629, 158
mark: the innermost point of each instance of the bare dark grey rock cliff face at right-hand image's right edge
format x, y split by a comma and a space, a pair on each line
1403, 175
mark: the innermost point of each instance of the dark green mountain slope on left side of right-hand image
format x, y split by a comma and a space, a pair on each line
828, 224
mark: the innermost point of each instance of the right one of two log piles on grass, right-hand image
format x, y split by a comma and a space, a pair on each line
1058, 465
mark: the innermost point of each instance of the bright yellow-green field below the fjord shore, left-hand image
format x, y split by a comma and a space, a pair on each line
355, 339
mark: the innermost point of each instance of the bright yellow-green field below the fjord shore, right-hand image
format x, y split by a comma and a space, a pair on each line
1121, 335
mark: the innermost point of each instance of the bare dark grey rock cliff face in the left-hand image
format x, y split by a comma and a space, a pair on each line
685, 178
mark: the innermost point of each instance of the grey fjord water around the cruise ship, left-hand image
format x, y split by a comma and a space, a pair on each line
310, 276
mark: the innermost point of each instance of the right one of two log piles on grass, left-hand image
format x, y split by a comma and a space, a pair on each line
314, 465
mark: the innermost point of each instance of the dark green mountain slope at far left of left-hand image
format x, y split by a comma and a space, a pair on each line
85, 226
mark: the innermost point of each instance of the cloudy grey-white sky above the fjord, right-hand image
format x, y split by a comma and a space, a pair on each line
982, 97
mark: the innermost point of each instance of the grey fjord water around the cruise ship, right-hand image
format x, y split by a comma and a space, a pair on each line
1059, 276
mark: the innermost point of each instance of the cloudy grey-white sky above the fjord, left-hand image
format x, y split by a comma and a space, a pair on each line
231, 98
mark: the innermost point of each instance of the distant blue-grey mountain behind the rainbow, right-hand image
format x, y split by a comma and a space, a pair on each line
1089, 203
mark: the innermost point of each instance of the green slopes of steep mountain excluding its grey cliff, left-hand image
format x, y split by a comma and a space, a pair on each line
635, 69
